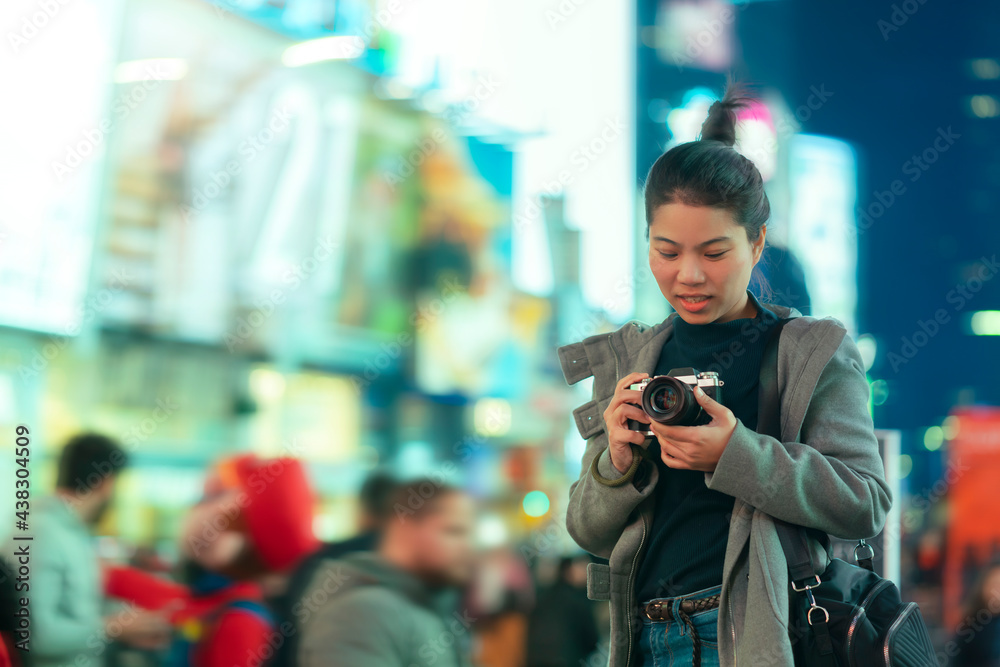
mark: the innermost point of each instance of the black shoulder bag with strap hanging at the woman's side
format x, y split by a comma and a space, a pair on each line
846, 616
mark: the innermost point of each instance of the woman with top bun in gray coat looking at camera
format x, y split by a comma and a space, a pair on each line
696, 573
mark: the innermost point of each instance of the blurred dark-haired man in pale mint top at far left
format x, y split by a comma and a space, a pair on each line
66, 595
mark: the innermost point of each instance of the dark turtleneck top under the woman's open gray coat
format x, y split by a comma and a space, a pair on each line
687, 543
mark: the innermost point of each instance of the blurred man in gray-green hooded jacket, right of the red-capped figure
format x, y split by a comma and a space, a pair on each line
398, 606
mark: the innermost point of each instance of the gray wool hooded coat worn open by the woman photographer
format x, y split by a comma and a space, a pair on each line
825, 473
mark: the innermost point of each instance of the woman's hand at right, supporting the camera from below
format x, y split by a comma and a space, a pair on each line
697, 447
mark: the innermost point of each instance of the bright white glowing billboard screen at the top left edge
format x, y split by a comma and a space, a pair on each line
50, 193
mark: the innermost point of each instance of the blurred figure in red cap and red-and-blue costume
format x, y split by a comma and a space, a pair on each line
253, 523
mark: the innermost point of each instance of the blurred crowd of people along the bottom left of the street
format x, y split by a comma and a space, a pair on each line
253, 586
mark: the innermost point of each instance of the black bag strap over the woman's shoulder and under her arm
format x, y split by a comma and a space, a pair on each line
793, 541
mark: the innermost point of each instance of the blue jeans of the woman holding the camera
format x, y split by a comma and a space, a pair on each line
671, 643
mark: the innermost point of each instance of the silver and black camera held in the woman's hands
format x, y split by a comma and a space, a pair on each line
669, 399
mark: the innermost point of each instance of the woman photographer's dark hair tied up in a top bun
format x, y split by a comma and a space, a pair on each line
710, 172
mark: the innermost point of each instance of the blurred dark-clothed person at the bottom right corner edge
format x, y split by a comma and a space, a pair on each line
978, 635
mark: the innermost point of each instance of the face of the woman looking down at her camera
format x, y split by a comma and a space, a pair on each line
701, 260
